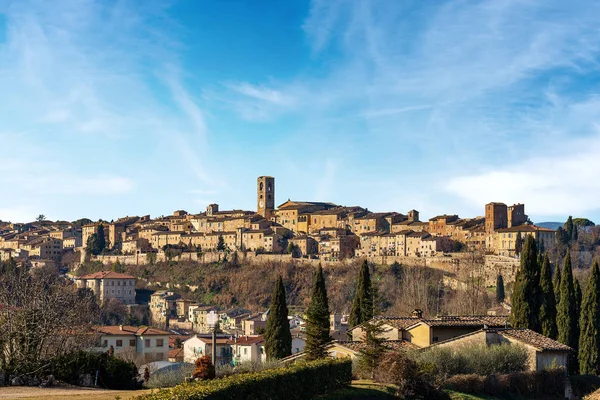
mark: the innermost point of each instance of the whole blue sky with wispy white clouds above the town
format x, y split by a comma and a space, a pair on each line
113, 108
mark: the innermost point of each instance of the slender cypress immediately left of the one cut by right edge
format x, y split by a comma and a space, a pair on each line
567, 319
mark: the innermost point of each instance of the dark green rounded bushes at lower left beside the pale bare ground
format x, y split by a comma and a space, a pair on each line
113, 372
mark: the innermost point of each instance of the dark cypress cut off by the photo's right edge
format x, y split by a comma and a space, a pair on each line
589, 322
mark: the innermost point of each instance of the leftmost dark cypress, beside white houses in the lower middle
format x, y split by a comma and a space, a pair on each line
278, 338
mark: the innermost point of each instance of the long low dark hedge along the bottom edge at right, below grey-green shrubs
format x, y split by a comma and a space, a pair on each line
546, 384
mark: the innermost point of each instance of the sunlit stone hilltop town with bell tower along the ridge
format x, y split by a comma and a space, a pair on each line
303, 229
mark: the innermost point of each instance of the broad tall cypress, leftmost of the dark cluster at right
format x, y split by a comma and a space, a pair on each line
526, 294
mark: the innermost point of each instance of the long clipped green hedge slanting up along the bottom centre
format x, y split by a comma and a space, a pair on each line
298, 381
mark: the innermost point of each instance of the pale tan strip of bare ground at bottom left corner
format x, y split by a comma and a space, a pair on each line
56, 393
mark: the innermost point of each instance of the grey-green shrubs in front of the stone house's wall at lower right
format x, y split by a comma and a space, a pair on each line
475, 359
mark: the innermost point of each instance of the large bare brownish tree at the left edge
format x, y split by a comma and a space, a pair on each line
42, 315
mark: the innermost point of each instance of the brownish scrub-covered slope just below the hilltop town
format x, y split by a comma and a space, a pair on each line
401, 288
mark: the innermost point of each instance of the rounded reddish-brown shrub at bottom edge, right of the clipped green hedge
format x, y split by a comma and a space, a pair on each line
412, 380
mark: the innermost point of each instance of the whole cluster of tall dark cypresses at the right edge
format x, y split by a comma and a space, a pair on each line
556, 307
